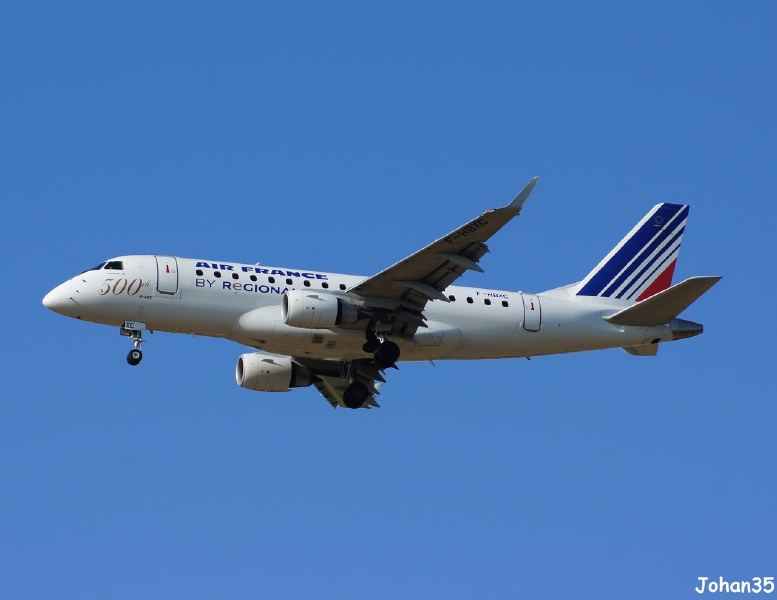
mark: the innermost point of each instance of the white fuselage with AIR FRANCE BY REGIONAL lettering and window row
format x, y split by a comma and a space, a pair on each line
243, 303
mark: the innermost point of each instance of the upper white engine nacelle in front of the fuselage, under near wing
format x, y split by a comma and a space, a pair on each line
316, 310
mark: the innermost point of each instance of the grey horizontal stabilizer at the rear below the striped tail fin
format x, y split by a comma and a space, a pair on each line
664, 306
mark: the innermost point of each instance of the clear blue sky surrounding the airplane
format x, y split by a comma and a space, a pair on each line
343, 137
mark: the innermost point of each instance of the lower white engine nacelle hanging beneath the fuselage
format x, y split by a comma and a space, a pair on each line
265, 373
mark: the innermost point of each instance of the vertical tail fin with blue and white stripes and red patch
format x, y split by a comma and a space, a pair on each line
643, 262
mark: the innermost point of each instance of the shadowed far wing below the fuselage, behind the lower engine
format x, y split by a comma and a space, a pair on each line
332, 377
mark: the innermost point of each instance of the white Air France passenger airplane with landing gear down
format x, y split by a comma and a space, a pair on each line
342, 333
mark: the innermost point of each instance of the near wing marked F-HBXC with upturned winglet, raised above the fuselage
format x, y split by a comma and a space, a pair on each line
404, 288
